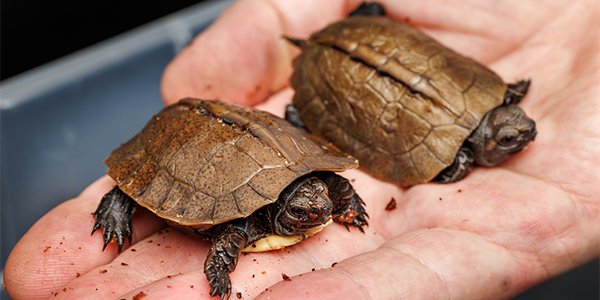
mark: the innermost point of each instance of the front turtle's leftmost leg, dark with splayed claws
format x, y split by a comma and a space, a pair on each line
113, 215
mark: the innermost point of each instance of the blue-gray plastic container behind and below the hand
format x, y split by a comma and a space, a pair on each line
58, 122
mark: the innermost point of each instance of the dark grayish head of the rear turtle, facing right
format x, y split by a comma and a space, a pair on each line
503, 132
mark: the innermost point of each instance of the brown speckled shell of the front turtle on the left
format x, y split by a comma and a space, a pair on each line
199, 163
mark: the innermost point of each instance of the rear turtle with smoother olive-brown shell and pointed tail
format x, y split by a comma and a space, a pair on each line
410, 109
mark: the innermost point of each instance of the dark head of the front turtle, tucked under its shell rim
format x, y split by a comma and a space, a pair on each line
307, 205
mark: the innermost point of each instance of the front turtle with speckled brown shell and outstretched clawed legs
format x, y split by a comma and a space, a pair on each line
237, 177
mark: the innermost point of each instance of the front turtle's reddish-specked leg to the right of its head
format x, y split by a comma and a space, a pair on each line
348, 207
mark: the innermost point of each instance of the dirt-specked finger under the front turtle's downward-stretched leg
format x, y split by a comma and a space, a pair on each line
171, 261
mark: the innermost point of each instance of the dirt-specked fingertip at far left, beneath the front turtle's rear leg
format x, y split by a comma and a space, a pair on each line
58, 248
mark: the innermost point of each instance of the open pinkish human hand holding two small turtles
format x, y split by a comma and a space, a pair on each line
511, 226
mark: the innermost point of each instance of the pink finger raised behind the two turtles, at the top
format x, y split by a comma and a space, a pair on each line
242, 58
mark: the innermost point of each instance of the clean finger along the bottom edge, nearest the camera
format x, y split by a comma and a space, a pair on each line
422, 264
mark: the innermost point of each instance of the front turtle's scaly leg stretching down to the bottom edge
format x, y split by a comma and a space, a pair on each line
223, 257
